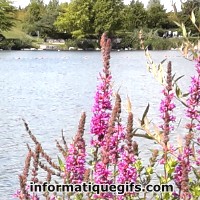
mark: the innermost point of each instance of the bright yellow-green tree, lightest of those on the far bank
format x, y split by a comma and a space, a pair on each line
77, 18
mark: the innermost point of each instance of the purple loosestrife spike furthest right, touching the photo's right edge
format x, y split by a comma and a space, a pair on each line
184, 166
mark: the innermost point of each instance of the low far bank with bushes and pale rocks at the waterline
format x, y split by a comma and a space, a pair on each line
127, 41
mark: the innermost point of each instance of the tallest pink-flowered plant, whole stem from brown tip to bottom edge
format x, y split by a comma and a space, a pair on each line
100, 119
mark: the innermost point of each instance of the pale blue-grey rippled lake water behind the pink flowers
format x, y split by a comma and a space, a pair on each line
51, 89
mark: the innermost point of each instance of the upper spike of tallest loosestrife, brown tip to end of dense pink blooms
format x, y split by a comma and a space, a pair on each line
102, 106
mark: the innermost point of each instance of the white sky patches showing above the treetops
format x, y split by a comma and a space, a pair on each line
166, 3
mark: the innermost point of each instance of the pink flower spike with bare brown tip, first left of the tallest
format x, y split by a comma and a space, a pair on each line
75, 160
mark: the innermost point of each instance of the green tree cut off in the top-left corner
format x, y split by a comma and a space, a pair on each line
6, 15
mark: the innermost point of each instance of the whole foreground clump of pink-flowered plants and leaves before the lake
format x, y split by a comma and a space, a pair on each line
115, 158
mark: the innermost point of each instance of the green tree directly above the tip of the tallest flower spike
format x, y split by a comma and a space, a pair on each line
108, 16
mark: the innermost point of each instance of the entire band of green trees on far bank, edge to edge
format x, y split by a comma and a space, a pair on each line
88, 19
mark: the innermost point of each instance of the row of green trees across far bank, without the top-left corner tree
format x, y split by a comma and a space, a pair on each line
87, 18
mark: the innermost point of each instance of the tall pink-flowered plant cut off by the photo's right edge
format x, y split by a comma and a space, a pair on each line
185, 163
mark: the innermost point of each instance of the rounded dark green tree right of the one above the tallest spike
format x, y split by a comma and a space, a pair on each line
135, 16
